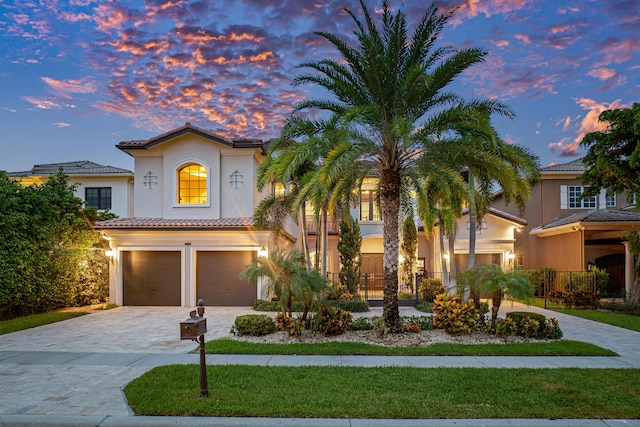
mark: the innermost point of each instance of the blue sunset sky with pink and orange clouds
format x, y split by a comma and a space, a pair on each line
79, 76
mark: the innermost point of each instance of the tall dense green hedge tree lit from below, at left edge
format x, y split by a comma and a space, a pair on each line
49, 256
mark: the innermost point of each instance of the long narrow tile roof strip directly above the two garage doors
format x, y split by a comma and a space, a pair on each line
162, 223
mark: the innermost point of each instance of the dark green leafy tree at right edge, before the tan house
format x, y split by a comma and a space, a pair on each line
612, 162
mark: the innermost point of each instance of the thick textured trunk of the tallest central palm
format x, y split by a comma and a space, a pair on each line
390, 201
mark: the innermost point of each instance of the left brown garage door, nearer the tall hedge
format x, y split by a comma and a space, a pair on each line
151, 278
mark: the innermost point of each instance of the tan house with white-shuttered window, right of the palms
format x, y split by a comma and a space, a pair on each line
568, 233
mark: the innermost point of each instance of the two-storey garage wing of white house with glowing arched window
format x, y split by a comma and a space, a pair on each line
191, 233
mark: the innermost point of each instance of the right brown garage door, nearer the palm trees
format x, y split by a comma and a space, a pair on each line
217, 280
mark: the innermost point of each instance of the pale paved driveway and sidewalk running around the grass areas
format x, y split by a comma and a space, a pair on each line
73, 372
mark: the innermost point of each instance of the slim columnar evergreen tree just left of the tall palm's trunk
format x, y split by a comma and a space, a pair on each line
349, 243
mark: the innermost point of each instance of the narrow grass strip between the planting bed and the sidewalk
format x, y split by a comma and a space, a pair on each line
551, 348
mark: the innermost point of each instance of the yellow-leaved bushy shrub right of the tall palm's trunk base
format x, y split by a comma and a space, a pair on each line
454, 315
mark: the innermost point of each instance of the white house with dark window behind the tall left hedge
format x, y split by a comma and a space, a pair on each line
101, 187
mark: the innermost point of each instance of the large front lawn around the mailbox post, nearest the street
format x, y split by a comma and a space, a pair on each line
401, 392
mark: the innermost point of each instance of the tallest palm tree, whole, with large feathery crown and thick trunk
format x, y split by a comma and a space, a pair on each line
389, 90
